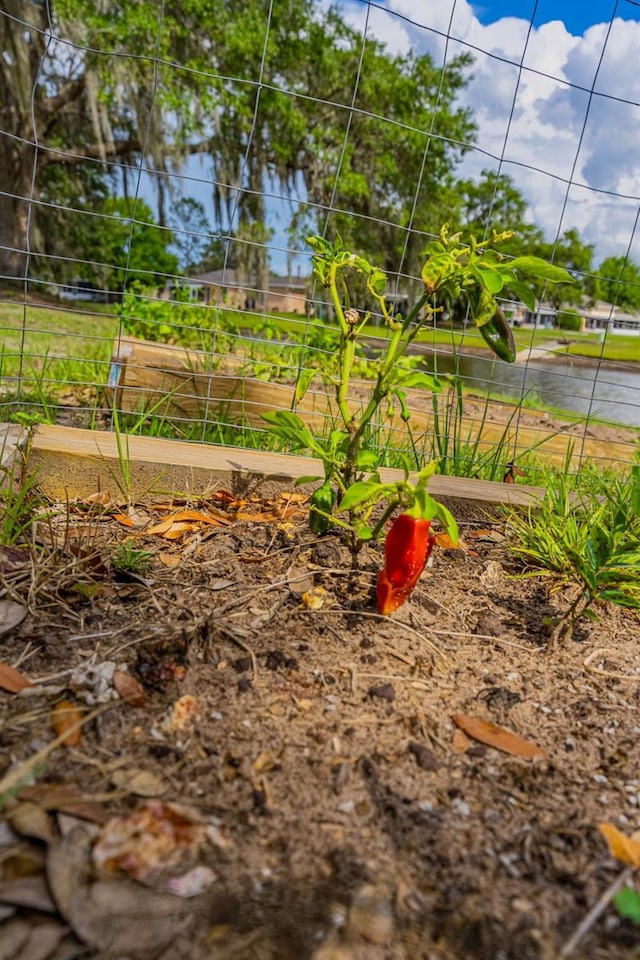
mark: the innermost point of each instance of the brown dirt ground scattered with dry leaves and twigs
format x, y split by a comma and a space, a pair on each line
267, 770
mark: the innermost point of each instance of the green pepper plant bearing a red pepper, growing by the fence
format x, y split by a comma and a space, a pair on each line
352, 487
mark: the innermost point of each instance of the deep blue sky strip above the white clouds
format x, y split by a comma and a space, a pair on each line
576, 15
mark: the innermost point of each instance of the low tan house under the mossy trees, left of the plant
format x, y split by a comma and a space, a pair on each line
224, 288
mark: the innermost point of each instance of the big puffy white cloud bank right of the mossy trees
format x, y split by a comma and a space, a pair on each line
544, 122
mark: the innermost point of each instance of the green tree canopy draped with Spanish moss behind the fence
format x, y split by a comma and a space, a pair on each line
101, 104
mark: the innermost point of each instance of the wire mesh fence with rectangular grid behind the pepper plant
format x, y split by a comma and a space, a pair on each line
154, 270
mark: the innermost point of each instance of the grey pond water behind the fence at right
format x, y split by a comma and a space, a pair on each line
607, 392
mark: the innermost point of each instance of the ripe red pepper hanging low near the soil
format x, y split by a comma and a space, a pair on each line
406, 550
